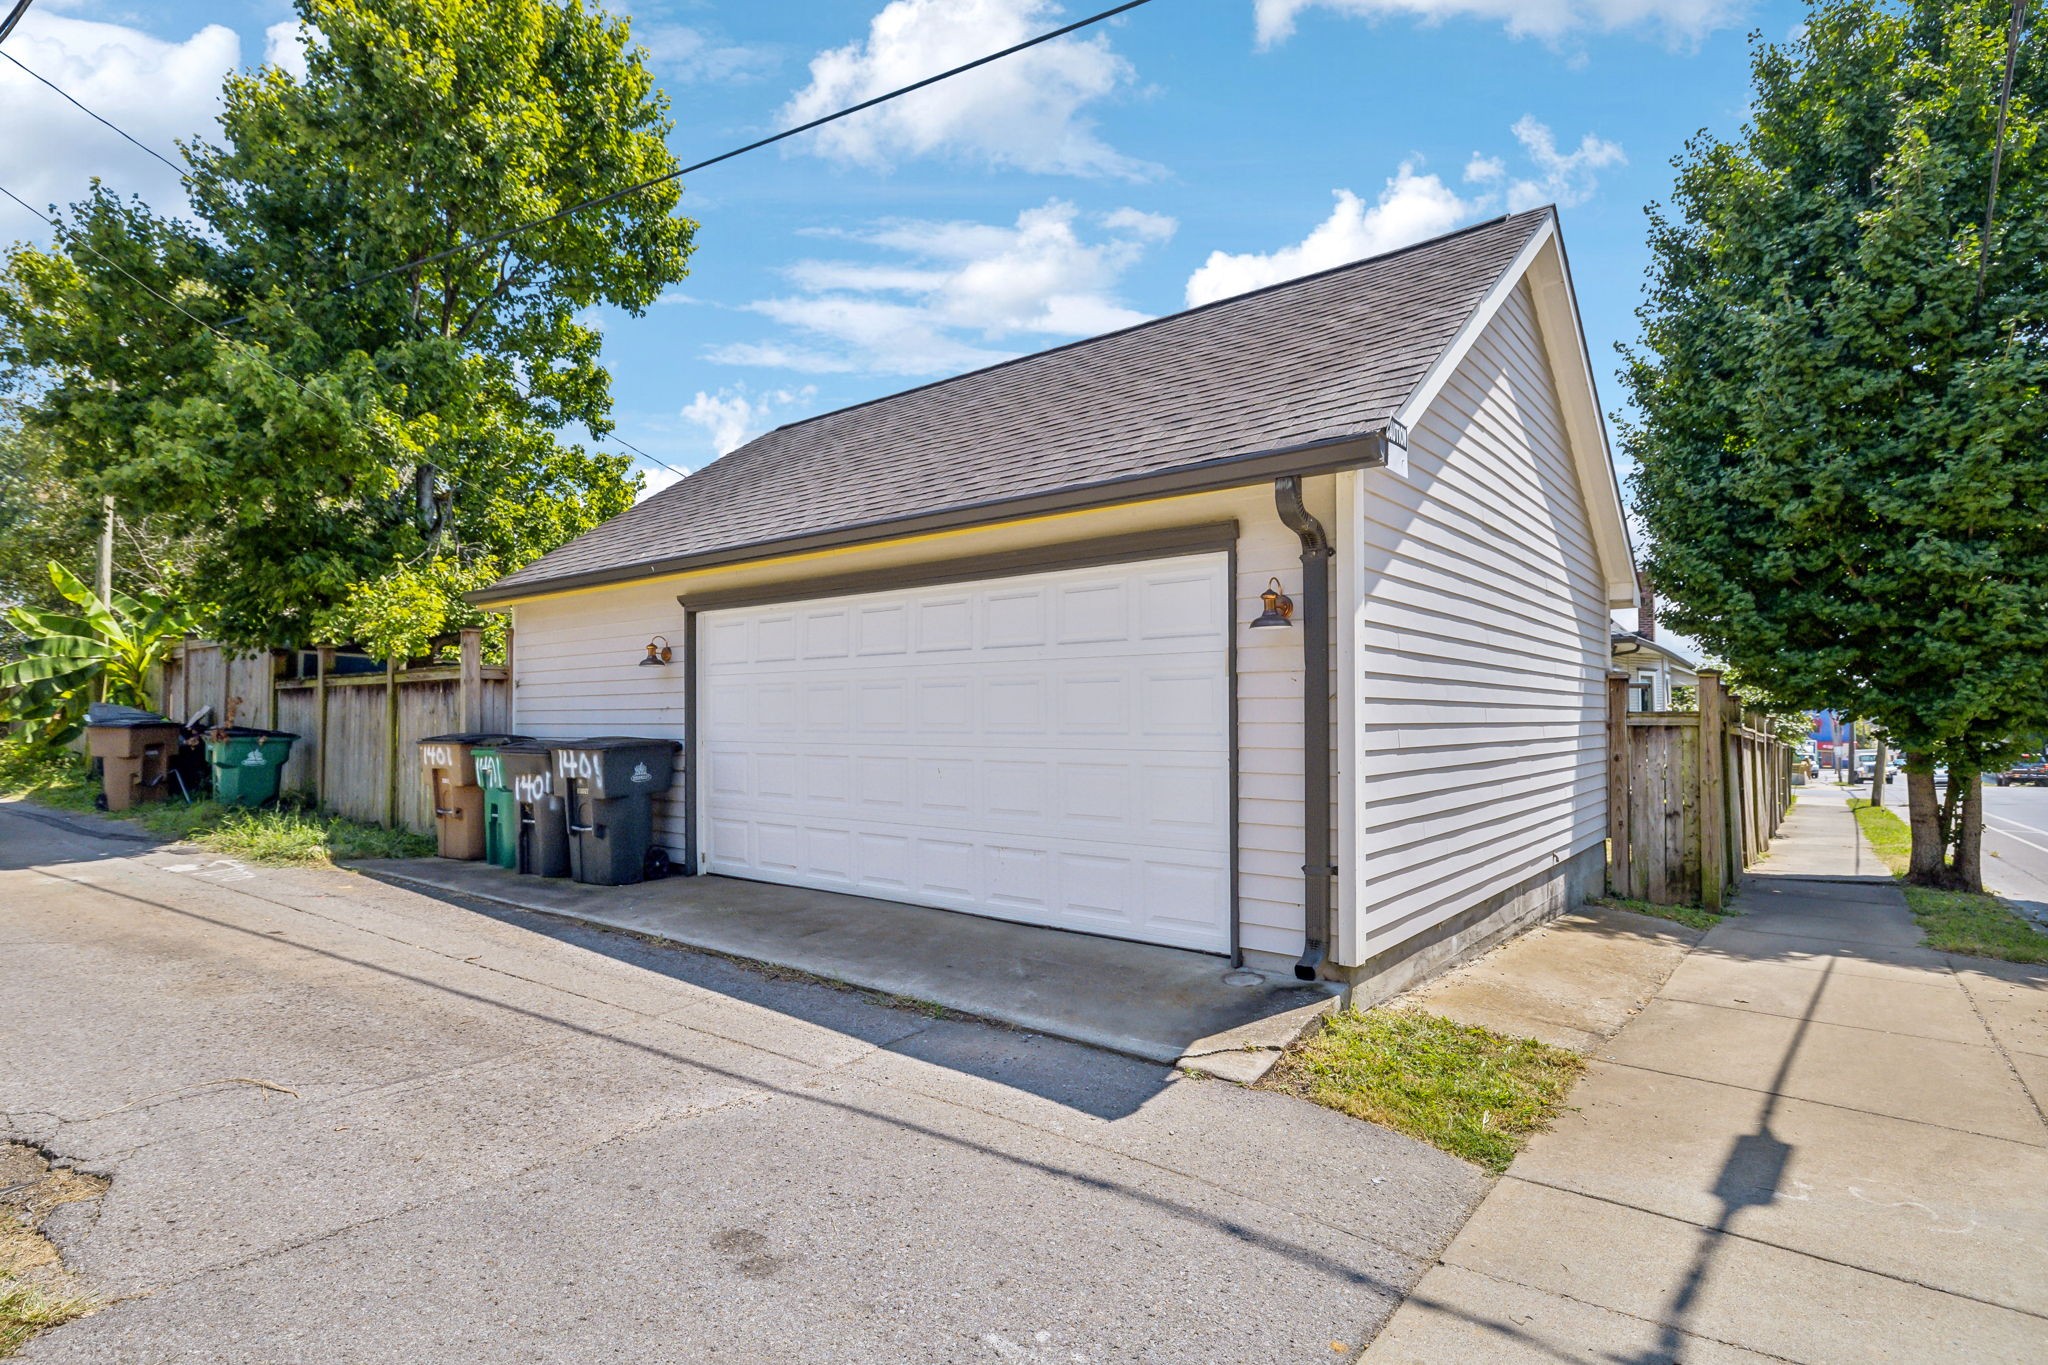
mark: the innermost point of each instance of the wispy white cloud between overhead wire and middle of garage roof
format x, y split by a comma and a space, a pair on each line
949, 294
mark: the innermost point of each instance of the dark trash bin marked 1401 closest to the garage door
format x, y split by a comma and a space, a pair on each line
607, 787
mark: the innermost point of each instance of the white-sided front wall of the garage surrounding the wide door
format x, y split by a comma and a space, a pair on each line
579, 670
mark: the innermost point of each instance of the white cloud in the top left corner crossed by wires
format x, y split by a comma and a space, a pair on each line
153, 89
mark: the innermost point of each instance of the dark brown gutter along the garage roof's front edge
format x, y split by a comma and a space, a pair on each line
1320, 457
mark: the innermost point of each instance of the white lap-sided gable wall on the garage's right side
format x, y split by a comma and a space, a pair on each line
1482, 652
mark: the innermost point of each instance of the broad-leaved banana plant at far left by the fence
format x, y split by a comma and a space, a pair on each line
105, 652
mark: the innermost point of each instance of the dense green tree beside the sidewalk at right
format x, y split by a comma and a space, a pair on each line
1842, 437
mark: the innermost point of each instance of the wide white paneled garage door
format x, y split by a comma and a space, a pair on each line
1048, 748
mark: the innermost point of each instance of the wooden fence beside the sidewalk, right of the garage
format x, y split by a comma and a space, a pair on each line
1693, 797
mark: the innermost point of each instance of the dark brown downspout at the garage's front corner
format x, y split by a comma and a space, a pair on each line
1318, 871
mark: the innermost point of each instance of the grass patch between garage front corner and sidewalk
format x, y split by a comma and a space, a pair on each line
1459, 1088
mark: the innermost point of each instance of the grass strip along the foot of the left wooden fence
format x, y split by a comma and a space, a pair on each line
271, 836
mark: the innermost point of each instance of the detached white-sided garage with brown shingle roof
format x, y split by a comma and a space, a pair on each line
990, 646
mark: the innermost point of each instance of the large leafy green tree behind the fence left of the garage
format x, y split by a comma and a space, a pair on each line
310, 419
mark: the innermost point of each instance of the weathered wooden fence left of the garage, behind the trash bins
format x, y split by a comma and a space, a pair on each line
357, 732
